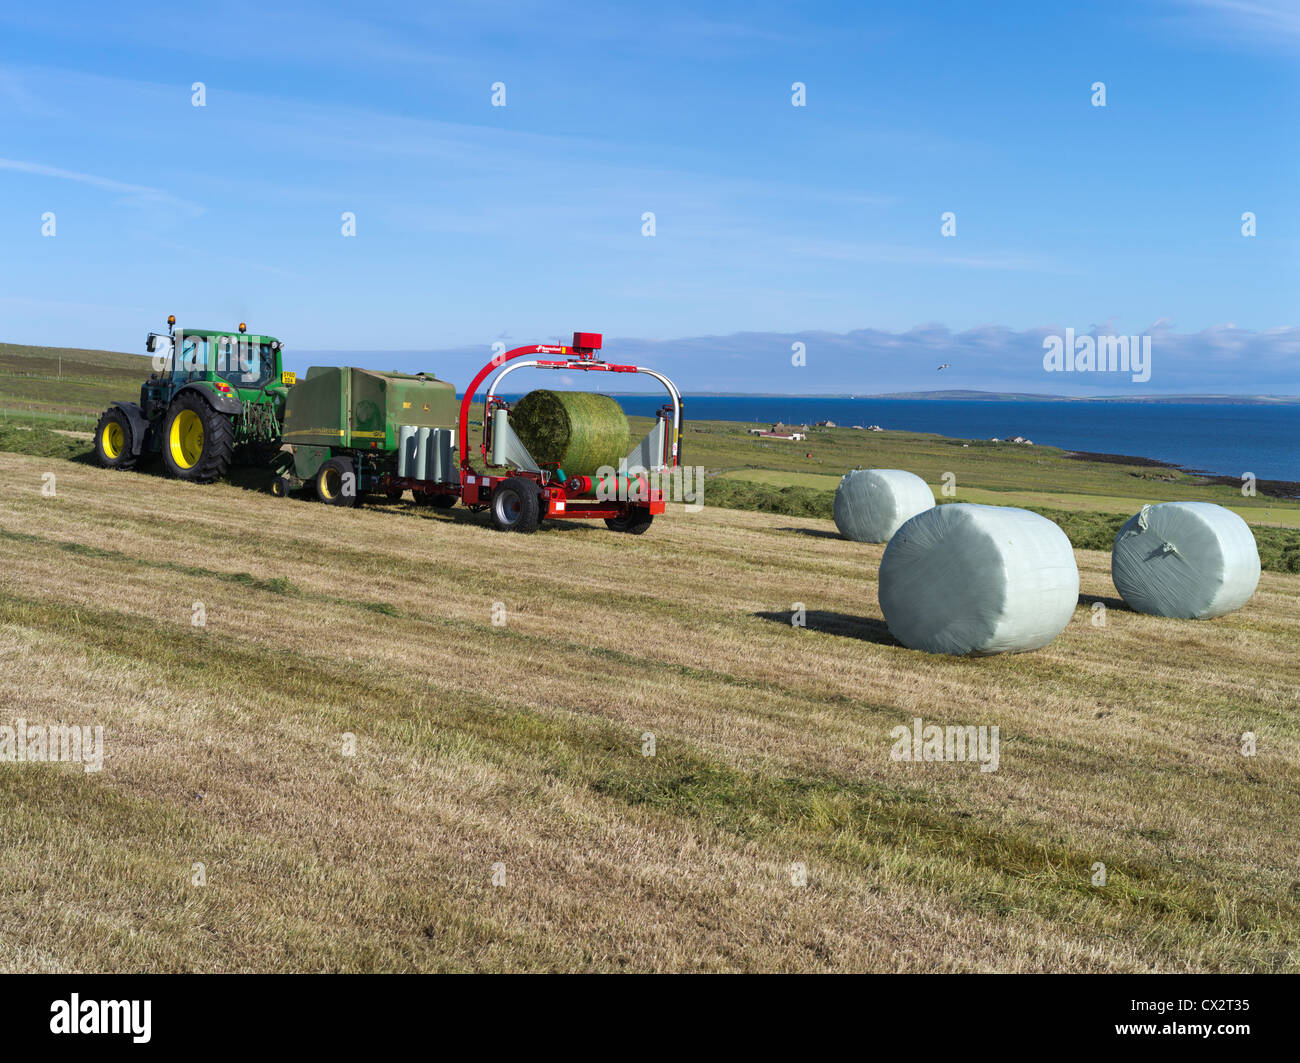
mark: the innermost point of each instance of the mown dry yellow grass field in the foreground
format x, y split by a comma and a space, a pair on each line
521, 748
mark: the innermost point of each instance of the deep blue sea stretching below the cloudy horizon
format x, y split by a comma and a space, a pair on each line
1214, 439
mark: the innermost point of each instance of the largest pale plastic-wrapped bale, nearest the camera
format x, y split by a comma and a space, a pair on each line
967, 579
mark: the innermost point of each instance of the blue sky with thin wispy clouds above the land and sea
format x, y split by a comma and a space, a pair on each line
523, 223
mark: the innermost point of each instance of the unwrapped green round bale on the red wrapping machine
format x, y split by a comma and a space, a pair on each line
574, 431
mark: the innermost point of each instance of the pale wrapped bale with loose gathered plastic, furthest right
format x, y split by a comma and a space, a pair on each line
1185, 559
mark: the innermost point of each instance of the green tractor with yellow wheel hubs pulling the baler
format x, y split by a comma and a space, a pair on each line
215, 400
